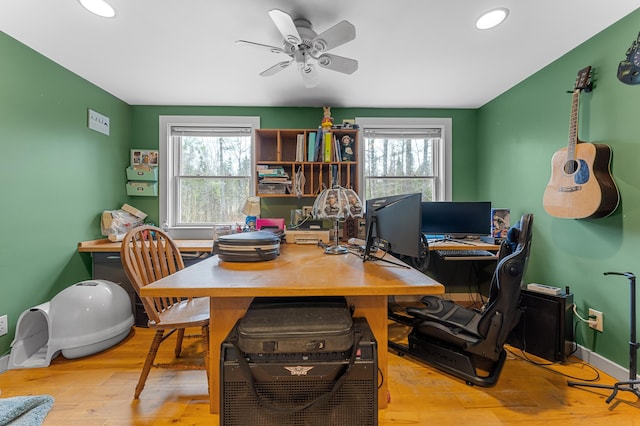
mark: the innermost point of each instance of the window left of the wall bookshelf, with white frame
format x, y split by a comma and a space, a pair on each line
206, 171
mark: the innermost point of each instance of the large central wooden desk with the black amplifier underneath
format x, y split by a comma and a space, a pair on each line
300, 270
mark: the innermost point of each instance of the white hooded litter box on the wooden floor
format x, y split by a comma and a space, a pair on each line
83, 319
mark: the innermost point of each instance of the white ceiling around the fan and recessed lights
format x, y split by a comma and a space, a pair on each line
411, 53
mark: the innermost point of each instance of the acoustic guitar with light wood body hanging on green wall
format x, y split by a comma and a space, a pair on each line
581, 185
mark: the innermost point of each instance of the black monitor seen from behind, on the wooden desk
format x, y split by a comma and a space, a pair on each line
395, 221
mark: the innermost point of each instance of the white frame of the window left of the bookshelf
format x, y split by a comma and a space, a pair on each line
166, 179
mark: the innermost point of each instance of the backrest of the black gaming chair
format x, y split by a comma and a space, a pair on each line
507, 281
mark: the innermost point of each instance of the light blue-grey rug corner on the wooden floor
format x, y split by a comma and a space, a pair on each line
25, 410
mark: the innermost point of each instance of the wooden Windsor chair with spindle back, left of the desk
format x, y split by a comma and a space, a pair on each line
148, 254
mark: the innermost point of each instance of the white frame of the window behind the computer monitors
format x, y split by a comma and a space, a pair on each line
443, 187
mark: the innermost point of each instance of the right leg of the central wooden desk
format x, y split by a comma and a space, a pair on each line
374, 309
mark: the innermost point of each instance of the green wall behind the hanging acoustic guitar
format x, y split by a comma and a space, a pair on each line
519, 132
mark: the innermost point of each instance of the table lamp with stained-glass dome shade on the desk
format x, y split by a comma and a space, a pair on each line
337, 204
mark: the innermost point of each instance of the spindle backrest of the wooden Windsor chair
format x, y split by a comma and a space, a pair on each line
148, 254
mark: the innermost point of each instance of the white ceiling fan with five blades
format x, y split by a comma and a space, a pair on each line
307, 49
